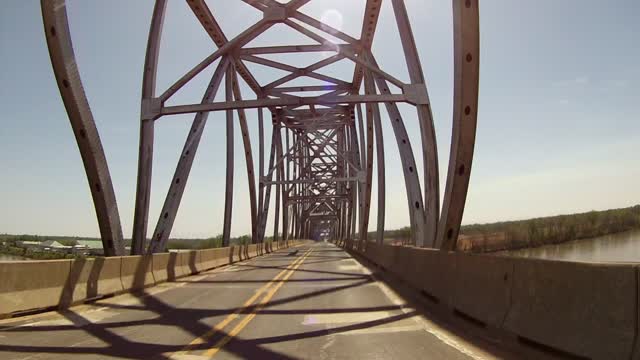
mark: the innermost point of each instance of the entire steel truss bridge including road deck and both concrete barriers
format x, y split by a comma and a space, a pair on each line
295, 298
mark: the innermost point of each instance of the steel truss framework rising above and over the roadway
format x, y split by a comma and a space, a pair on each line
326, 132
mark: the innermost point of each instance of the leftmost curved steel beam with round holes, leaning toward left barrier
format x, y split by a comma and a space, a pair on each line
60, 46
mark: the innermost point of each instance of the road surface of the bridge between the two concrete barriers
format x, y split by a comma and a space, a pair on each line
313, 302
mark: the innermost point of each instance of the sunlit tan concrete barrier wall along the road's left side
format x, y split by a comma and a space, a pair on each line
33, 285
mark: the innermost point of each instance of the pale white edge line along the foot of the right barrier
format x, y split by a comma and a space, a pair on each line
428, 326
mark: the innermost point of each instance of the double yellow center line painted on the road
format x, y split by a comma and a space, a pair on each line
270, 290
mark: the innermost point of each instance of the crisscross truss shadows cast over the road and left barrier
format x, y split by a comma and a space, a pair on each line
113, 334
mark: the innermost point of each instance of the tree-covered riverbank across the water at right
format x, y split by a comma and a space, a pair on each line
514, 235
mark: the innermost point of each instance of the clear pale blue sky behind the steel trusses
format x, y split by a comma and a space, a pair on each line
558, 127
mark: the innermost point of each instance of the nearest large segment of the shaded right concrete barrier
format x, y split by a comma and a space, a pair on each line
585, 309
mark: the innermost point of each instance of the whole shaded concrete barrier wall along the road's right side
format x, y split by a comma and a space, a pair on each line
584, 309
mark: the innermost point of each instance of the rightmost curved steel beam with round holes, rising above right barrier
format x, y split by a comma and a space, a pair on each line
465, 115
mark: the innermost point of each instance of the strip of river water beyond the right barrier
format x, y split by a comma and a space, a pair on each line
620, 247
